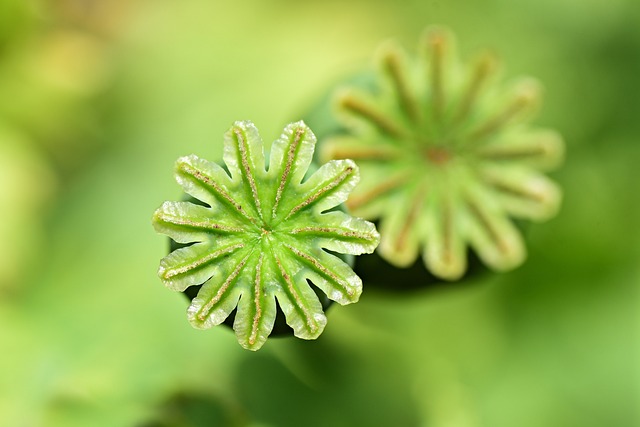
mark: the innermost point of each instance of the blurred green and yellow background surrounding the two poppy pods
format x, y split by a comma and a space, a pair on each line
97, 100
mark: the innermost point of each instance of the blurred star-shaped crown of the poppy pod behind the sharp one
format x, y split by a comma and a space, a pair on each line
447, 158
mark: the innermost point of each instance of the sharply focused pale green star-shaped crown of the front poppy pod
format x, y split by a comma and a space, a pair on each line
263, 235
